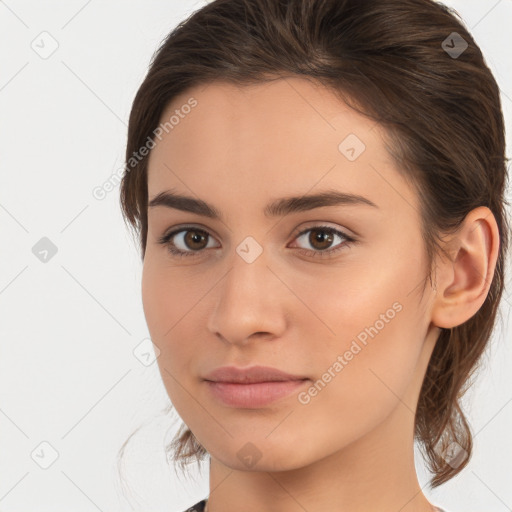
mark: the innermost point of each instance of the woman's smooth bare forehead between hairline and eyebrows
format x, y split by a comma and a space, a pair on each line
269, 140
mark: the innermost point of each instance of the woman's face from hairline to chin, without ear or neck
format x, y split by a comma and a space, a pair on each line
327, 291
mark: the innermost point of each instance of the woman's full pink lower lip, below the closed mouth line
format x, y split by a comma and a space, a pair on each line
253, 395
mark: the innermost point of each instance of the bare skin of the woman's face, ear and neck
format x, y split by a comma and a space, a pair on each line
351, 447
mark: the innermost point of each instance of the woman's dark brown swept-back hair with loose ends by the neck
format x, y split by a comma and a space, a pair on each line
443, 124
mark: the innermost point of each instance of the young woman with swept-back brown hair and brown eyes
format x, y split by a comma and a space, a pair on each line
318, 191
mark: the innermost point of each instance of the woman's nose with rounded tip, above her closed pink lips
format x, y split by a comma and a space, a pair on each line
250, 301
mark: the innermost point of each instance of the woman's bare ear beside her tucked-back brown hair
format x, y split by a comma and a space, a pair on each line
463, 281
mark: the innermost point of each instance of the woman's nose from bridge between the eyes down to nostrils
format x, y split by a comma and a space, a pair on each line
248, 296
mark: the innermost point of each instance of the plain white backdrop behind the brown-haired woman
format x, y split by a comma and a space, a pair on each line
68, 374
